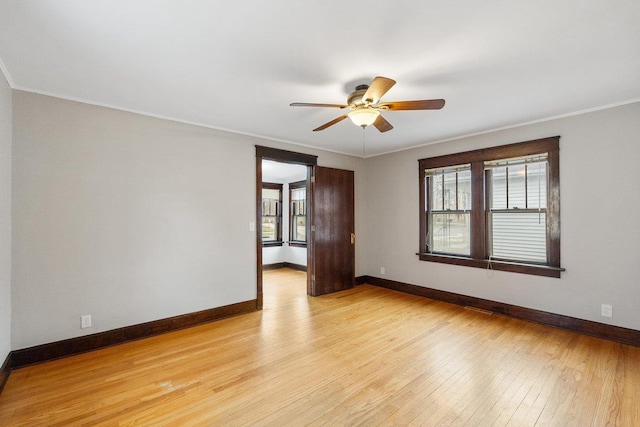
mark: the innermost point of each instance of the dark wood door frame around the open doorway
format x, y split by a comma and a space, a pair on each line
282, 156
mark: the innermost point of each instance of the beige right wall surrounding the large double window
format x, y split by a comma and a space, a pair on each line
600, 226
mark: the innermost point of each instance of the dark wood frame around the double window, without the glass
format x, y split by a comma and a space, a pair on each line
479, 240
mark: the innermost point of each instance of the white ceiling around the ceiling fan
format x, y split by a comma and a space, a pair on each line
237, 65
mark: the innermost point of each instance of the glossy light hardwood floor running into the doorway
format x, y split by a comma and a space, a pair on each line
367, 356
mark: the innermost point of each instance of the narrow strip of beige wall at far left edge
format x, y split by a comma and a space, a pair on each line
5, 218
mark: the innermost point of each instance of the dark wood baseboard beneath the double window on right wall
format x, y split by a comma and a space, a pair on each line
586, 327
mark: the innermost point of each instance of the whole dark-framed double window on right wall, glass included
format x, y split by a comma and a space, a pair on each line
493, 208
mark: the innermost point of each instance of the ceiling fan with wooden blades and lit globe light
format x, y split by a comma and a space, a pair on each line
366, 107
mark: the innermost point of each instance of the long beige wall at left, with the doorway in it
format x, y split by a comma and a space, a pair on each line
129, 218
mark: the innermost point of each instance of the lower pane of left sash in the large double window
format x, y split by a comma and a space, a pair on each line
450, 233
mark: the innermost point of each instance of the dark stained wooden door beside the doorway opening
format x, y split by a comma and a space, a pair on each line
332, 231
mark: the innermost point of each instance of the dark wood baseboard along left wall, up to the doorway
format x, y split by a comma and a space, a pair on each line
69, 347
